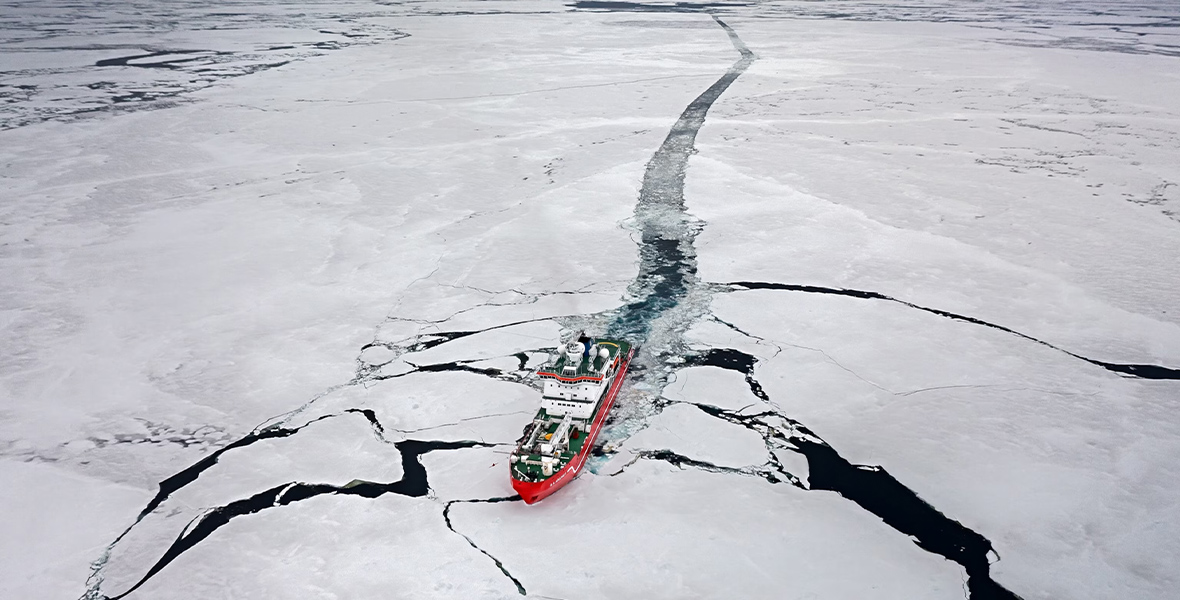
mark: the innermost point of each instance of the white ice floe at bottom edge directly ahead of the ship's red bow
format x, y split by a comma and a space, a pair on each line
658, 532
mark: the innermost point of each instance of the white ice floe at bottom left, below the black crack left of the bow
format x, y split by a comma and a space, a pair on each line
391, 546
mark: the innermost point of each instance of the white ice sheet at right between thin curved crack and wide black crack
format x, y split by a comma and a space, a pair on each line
1006, 436
